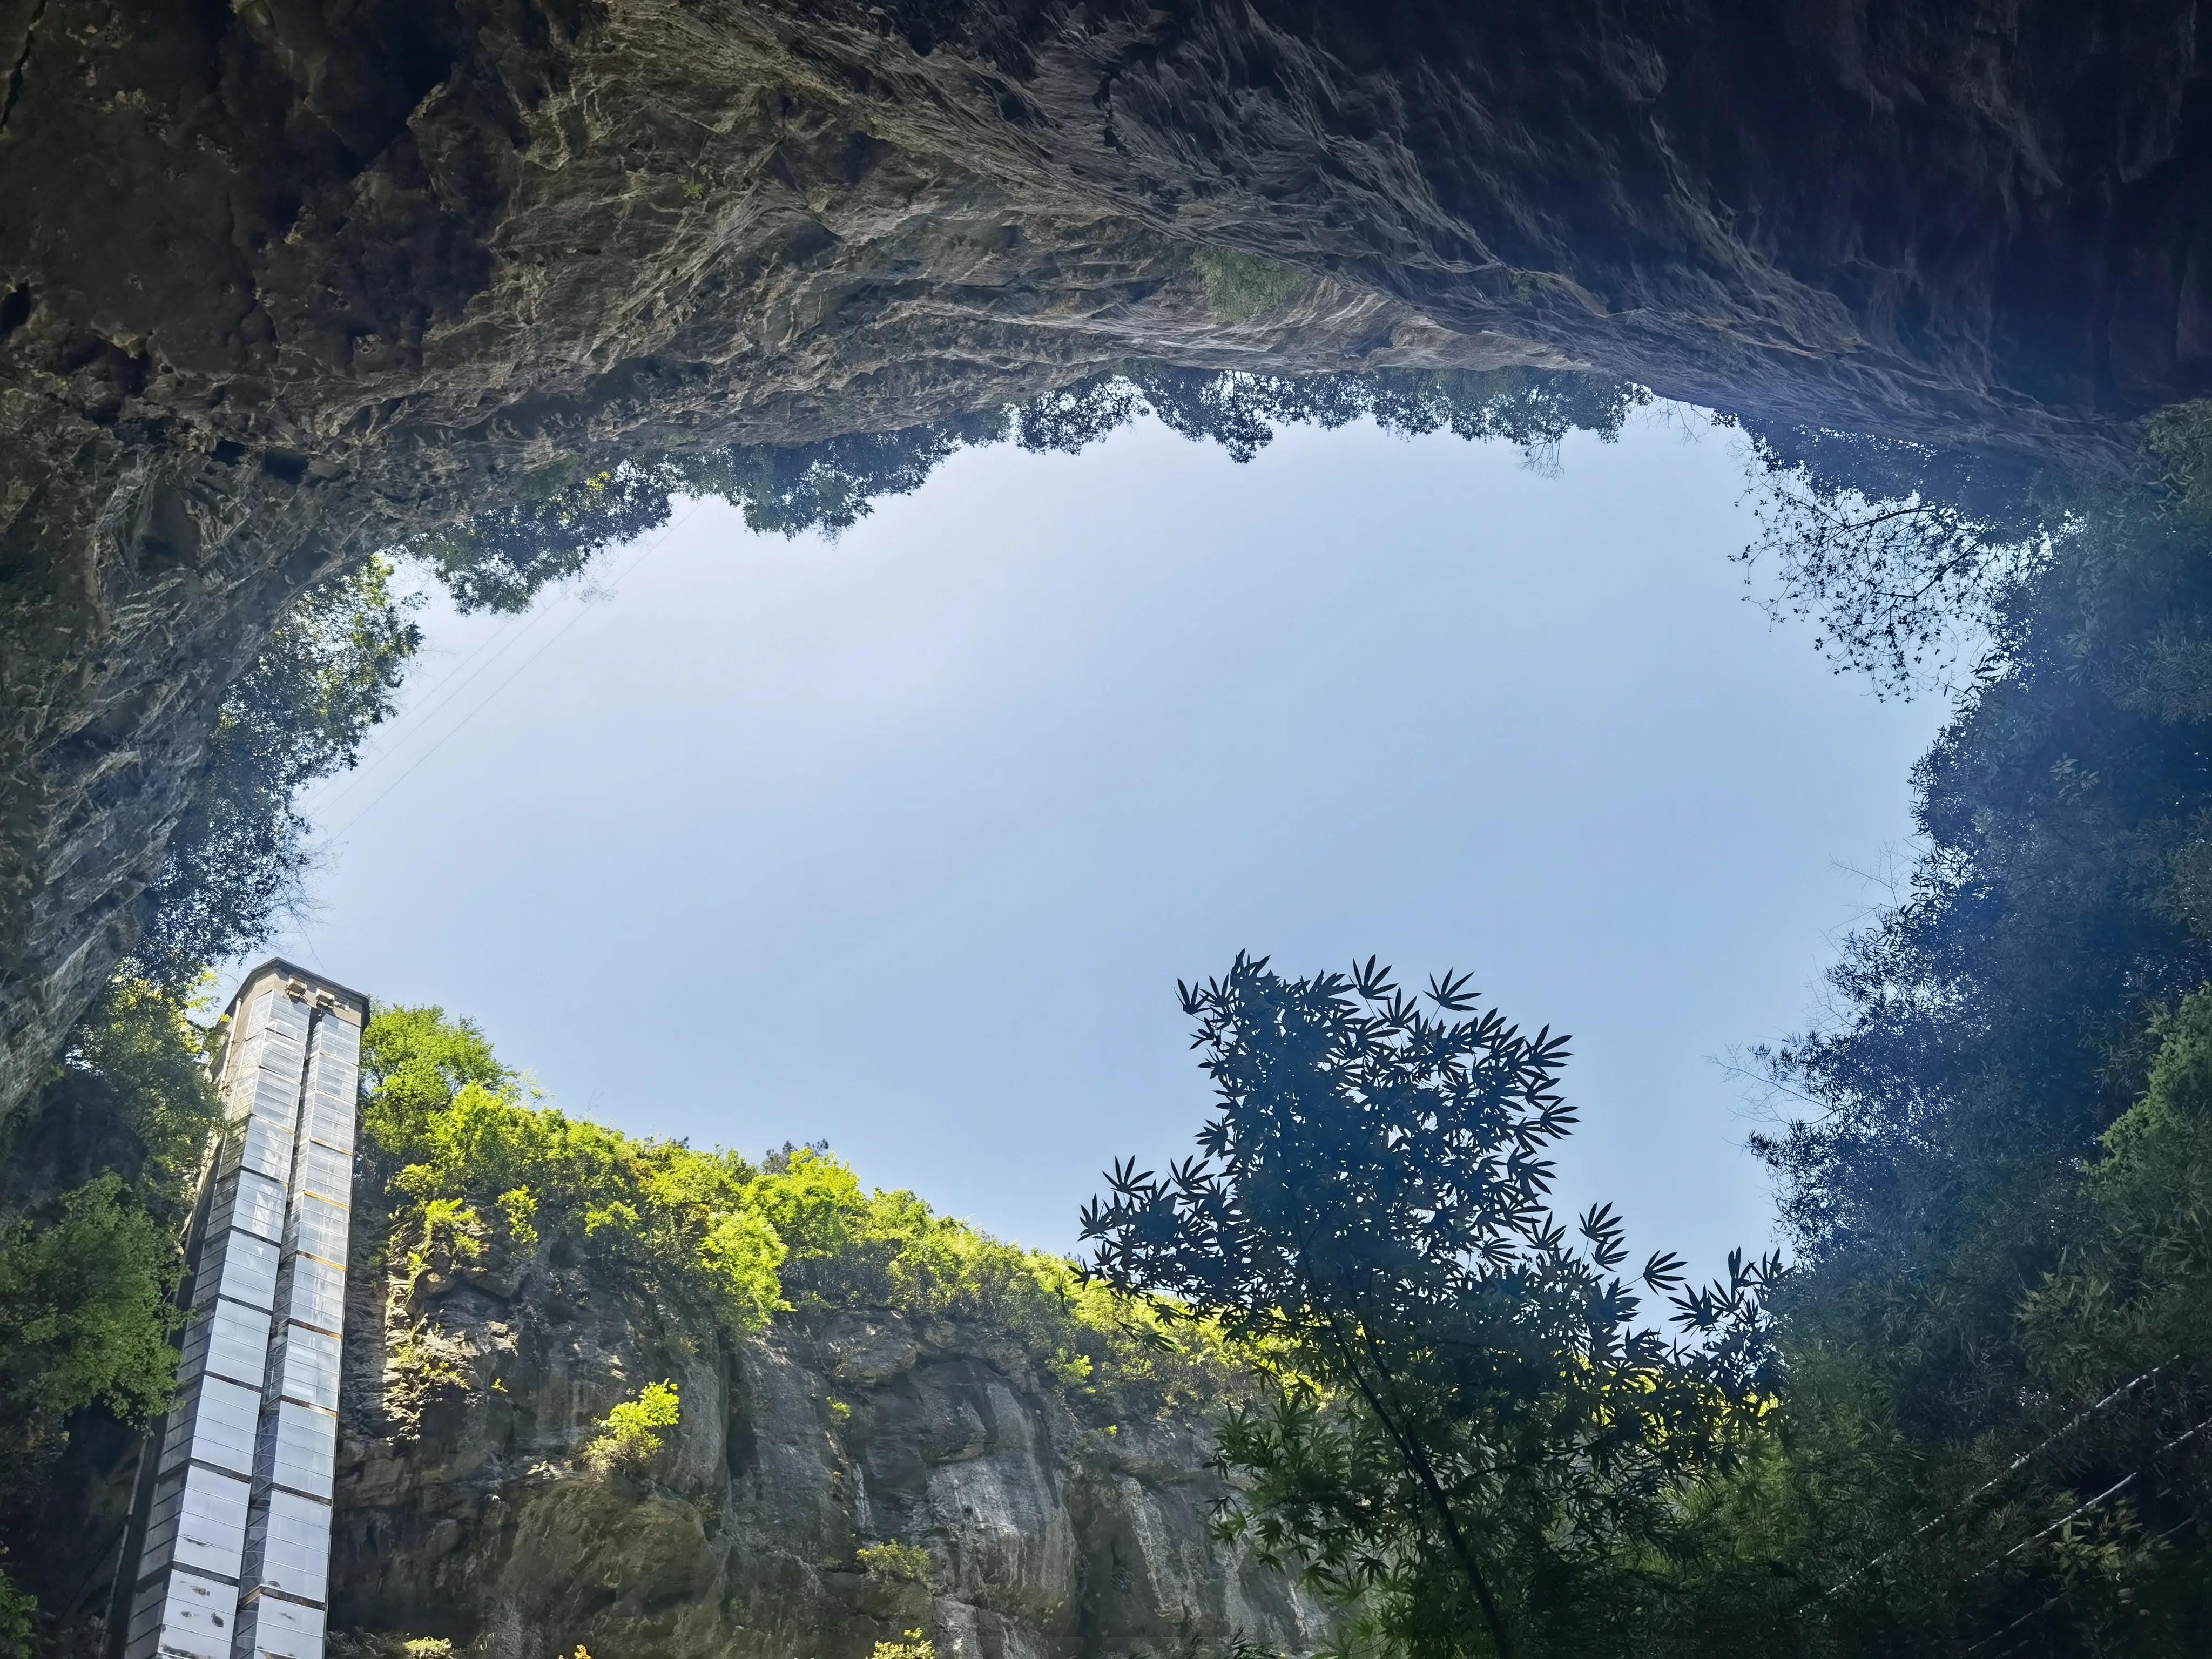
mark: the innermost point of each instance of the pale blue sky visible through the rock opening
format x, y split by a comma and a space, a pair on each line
904, 839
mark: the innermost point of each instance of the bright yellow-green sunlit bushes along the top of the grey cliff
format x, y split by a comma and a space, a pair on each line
492, 1178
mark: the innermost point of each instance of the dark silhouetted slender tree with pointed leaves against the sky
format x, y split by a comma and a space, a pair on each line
1472, 1430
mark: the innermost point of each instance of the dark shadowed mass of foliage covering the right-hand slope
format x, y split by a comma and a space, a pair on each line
1994, 1361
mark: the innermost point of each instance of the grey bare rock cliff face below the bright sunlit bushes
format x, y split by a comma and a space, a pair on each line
1052, 1530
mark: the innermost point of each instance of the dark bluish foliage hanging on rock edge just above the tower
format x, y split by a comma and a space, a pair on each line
298, 716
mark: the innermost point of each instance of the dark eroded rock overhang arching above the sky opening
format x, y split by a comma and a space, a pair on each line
284, 280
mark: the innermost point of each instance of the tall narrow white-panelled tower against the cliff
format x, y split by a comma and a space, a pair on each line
233, 1558
